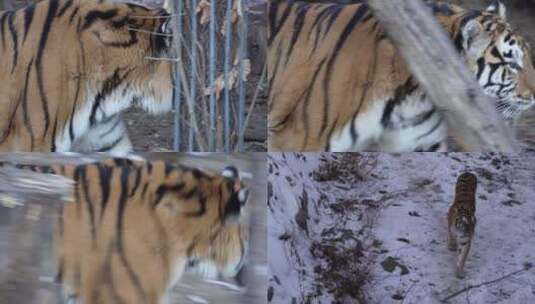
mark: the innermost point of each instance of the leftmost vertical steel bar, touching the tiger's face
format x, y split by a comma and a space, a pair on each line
177, 91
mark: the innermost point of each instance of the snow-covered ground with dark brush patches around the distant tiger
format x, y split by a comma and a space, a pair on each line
379, 236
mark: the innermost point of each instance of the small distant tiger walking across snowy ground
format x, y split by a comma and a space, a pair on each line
462, 219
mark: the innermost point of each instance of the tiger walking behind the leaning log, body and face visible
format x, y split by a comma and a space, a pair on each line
337, 83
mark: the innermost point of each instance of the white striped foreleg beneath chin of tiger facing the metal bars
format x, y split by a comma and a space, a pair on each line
108, 135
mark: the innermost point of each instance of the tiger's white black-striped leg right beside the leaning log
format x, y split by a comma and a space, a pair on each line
414, 125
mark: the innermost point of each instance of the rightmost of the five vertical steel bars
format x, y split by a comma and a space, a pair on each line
242, 89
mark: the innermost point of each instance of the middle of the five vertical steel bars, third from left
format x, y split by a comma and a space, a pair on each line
212, 133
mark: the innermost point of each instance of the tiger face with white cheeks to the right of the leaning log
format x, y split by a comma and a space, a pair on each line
500, 58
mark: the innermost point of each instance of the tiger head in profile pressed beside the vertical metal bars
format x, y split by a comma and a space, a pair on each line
127, 53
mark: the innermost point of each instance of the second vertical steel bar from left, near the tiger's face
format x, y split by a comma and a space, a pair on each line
193, 72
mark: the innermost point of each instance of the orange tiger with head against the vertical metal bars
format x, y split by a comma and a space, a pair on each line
69, 68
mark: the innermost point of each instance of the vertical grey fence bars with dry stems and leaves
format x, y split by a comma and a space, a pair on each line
213, 95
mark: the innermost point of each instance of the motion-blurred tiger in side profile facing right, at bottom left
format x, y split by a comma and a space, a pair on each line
135, 226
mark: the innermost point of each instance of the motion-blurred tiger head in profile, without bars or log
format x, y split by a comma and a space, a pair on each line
216, 224
